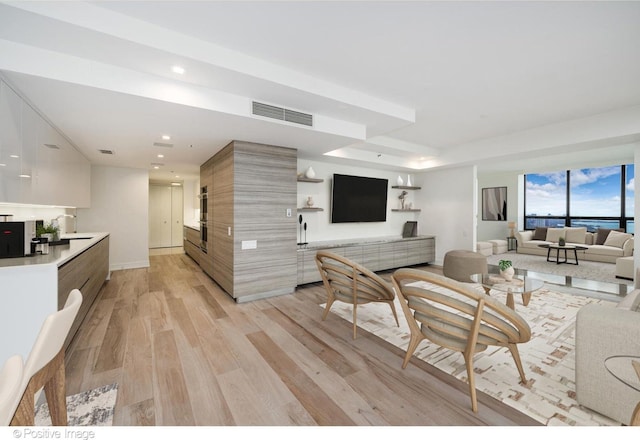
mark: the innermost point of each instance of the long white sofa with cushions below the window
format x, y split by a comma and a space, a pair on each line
614, 243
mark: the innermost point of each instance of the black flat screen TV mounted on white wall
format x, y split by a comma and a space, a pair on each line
358, 199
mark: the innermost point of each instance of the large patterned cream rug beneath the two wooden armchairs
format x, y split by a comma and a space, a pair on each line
548, 358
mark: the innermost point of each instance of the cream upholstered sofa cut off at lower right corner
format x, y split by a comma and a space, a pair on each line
602, 333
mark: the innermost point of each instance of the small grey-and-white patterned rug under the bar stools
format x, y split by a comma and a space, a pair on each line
90, 408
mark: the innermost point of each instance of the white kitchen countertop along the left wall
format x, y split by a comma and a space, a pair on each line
60, 254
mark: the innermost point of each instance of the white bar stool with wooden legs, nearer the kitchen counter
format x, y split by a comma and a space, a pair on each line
44, 367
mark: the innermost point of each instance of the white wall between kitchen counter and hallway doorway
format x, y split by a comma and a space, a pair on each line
120, 206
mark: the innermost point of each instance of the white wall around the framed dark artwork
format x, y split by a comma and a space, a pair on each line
490, 230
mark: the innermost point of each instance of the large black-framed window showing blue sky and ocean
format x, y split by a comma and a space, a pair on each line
592, 197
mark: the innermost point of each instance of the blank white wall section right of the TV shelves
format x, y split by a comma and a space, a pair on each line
449, 204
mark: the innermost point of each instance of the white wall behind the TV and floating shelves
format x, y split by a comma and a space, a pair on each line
319, 226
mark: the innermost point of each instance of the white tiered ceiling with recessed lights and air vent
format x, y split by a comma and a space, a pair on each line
398, 85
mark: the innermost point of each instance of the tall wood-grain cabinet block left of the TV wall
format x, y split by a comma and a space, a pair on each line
251, 248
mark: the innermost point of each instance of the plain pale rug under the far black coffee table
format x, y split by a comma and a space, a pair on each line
588, 270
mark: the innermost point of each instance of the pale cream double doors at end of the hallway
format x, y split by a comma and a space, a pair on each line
165, 216
